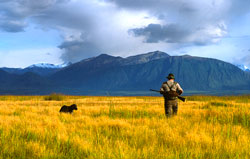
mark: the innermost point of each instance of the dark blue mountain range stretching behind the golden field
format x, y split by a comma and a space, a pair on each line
134, 75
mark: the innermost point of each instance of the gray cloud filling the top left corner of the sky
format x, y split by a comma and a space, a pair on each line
14, 13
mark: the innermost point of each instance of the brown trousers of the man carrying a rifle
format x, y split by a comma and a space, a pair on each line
171, 107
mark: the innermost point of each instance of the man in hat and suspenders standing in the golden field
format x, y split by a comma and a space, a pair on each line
170, 90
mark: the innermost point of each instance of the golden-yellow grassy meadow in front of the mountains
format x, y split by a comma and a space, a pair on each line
124, 128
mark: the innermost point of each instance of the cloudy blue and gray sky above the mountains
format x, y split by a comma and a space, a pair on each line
58, 31
